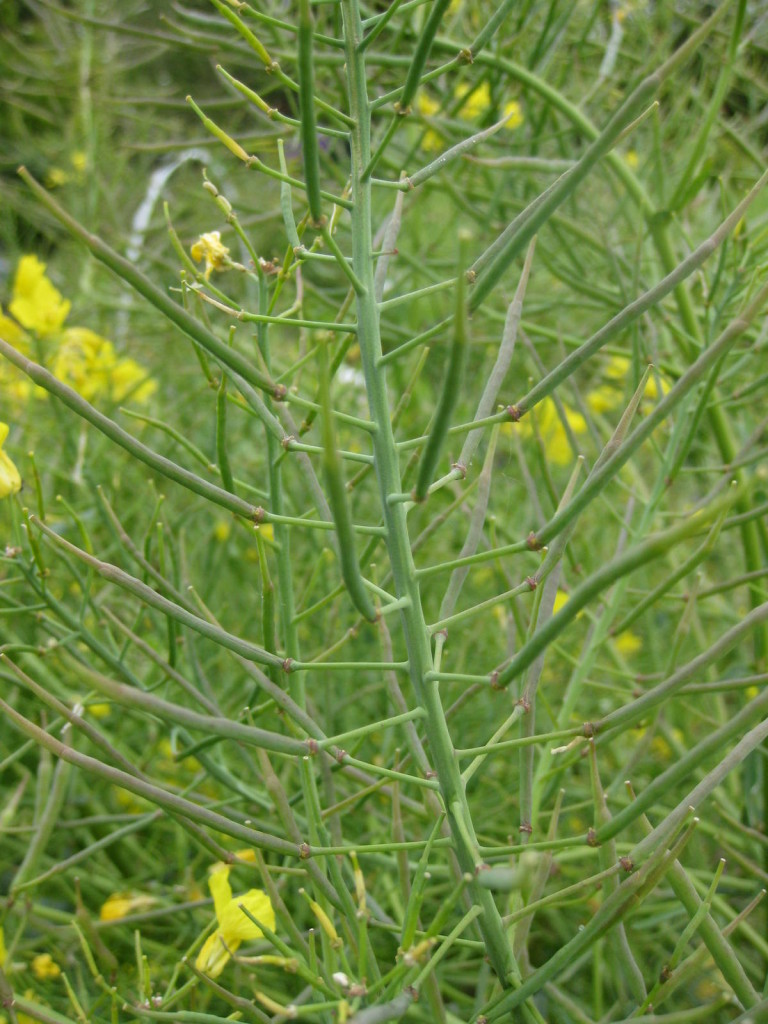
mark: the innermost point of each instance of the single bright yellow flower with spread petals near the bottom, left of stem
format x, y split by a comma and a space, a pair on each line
234, 926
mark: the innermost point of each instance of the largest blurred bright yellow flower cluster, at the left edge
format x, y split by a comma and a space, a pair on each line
77, 356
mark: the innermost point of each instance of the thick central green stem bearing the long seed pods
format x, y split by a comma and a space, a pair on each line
399, 545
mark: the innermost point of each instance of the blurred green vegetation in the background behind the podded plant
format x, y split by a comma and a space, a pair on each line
93, 102
